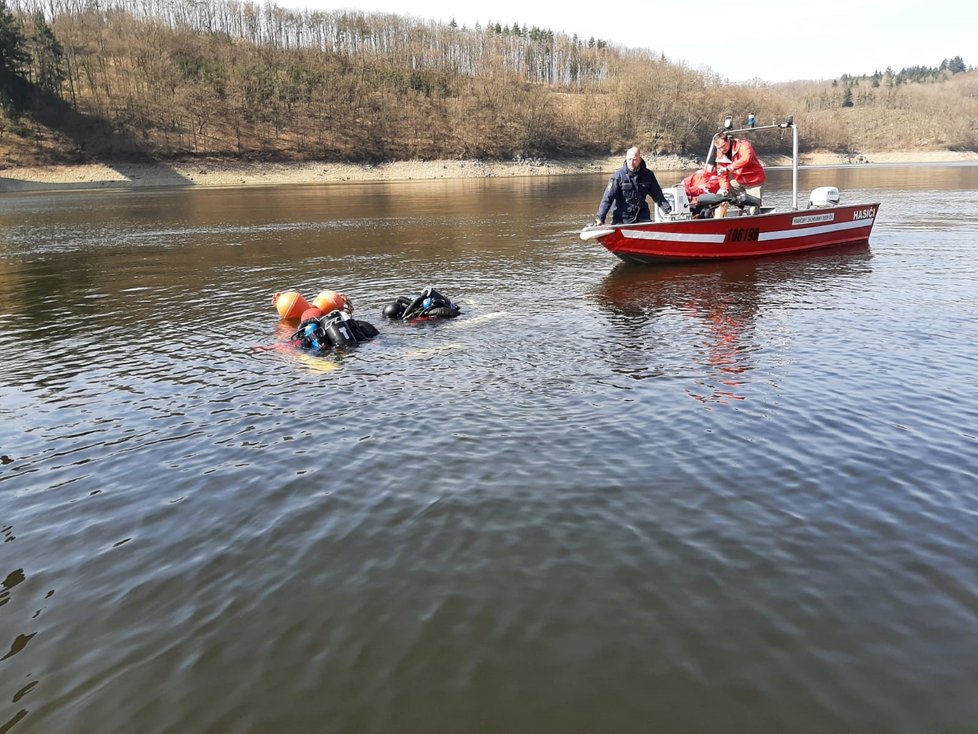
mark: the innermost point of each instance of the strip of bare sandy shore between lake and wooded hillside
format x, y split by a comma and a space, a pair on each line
220, 173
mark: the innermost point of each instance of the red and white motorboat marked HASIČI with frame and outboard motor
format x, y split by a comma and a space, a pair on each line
684, 237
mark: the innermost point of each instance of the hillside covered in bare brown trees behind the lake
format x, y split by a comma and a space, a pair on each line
169, 79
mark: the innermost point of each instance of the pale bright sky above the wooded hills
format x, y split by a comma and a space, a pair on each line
761, 39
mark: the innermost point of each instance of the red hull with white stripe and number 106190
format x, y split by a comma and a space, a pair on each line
729, 238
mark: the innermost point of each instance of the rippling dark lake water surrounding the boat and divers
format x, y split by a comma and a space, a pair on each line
709, 498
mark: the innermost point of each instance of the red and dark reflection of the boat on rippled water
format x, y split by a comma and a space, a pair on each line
699, 321
